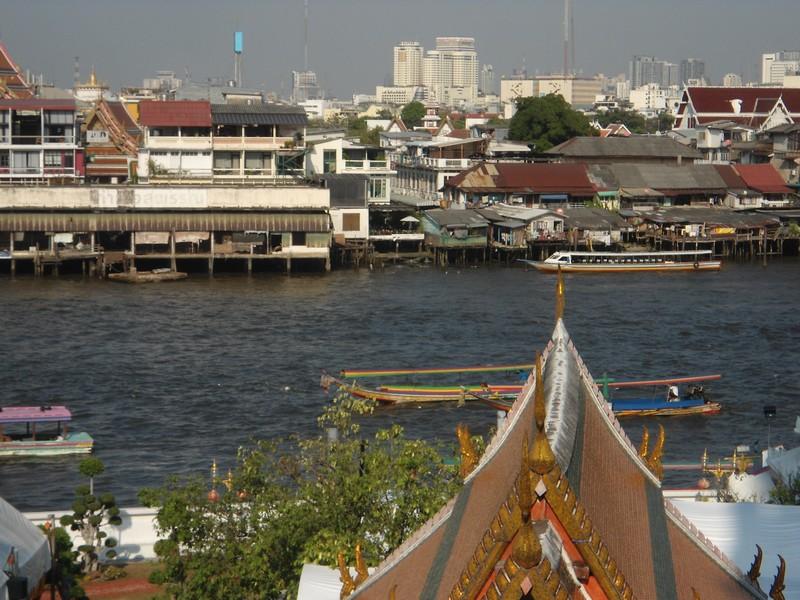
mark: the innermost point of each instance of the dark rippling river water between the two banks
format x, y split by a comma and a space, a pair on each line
167, 377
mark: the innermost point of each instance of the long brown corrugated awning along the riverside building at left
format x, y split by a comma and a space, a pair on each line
238, 221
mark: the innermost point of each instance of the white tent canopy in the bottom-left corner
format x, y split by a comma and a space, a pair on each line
32, 552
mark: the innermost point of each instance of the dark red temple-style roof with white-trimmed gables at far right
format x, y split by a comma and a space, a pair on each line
761, 100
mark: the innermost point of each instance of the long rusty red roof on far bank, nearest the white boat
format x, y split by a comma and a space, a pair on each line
567, 178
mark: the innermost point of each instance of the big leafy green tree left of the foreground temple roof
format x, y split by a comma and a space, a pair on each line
296, 501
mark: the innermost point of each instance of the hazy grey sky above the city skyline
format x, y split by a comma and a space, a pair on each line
351, 40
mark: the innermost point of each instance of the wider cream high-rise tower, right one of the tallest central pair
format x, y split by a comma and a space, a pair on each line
450, 72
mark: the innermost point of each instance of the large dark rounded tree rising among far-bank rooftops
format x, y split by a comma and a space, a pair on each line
547, 121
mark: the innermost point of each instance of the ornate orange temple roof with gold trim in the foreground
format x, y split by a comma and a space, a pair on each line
560, 501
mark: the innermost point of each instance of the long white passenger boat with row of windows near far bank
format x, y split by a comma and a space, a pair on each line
612, 262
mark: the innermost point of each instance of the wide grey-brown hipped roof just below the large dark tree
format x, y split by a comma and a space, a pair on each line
643, 146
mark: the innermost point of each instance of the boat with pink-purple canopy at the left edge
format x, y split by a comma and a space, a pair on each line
24, 432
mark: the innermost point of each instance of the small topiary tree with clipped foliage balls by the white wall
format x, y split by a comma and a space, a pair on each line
90, 514
